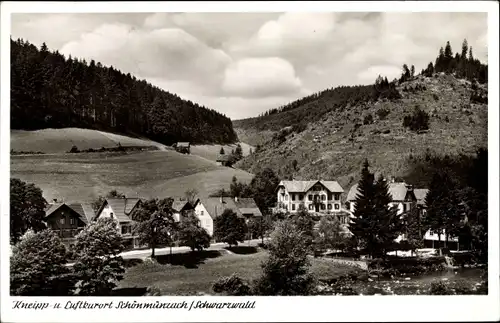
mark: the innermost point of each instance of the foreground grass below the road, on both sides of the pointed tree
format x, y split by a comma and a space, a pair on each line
195, 275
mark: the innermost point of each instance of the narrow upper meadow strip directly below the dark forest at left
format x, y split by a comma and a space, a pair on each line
53, 141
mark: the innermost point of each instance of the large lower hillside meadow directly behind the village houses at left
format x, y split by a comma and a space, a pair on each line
83, 177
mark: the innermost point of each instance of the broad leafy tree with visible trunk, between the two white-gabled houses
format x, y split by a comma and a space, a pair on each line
154, 223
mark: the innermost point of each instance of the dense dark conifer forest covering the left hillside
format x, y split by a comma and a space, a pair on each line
49, 90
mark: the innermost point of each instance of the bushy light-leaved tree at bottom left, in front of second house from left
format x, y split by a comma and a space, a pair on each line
98, 265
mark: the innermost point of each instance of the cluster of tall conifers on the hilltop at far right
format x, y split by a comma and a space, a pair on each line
462, 64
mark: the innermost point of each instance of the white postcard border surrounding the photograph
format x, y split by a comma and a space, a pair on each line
357, 308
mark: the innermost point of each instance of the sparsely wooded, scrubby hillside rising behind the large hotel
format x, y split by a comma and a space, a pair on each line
335, 146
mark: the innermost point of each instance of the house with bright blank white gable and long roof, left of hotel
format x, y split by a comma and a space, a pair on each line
208, 209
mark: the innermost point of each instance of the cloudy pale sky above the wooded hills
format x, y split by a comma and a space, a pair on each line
242, 64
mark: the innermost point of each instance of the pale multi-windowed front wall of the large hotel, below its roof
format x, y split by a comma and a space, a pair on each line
289, 201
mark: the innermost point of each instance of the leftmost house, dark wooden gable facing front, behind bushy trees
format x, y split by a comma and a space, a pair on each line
67, 220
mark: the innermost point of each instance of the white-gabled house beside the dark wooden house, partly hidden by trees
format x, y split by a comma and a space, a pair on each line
120, 209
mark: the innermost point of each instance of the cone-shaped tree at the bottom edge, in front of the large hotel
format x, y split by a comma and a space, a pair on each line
286, 270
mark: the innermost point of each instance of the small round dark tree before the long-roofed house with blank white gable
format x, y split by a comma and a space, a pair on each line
229, 228
